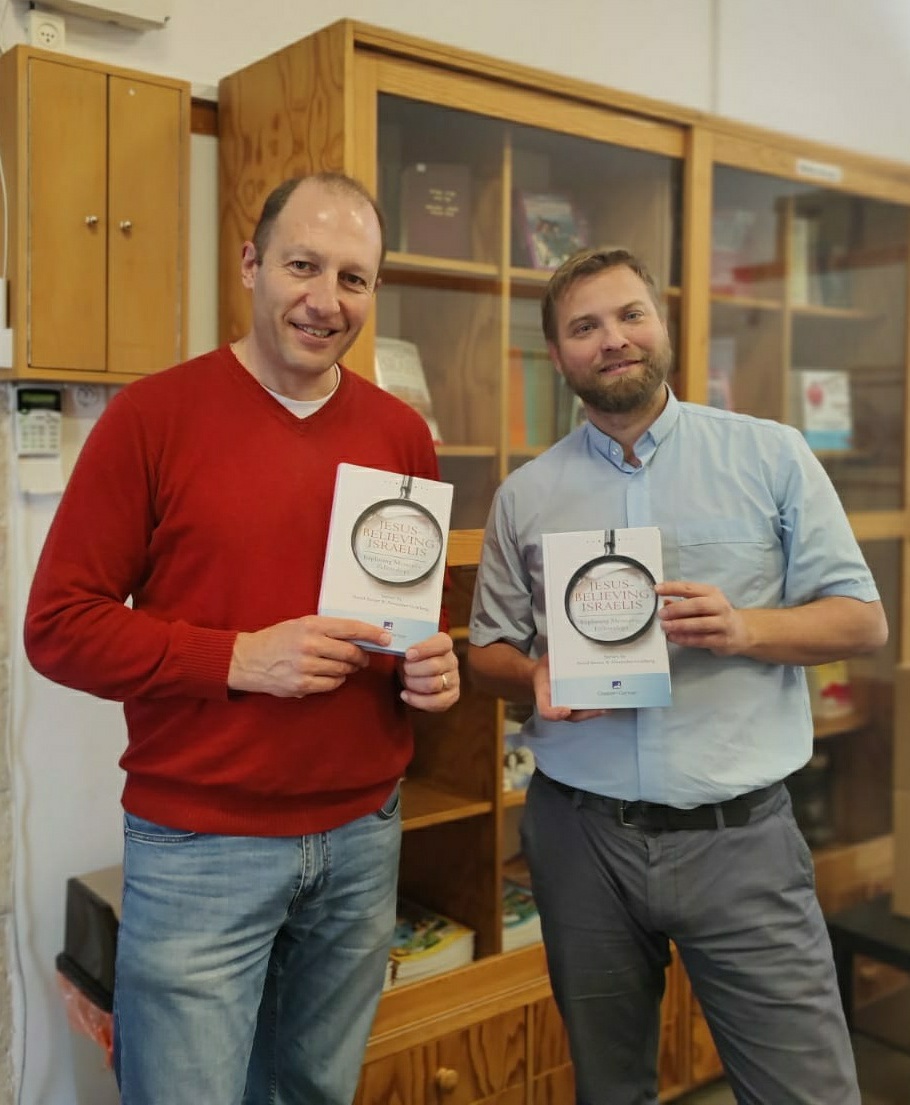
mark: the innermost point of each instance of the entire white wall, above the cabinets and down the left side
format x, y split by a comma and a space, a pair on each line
831, 70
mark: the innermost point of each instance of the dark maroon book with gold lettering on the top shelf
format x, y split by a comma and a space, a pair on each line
436, 209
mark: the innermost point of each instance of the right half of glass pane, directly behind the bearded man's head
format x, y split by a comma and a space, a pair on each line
569, 193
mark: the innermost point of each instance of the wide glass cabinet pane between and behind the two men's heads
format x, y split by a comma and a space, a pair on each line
481, 212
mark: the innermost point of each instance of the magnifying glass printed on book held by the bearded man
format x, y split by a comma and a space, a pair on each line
611, 599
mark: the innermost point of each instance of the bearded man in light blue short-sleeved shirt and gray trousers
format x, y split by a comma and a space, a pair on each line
644, 826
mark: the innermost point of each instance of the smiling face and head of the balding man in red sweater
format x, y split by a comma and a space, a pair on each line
313, 288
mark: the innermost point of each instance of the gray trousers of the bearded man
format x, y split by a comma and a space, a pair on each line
740, 906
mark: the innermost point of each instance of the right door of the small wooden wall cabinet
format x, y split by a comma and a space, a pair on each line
145, 262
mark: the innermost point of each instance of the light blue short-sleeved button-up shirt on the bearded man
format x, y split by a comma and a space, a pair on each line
742, 503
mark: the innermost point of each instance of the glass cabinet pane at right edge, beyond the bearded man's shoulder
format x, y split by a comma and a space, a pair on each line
809, 323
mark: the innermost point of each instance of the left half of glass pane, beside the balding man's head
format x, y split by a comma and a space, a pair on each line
439, 314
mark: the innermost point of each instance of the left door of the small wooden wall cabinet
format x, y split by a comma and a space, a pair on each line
68, 217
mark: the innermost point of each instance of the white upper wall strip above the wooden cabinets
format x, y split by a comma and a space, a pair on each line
838, 71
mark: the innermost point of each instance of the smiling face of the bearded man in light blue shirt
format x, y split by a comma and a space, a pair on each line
611, 344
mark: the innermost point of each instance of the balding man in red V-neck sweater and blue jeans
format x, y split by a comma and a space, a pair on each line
262, 824
